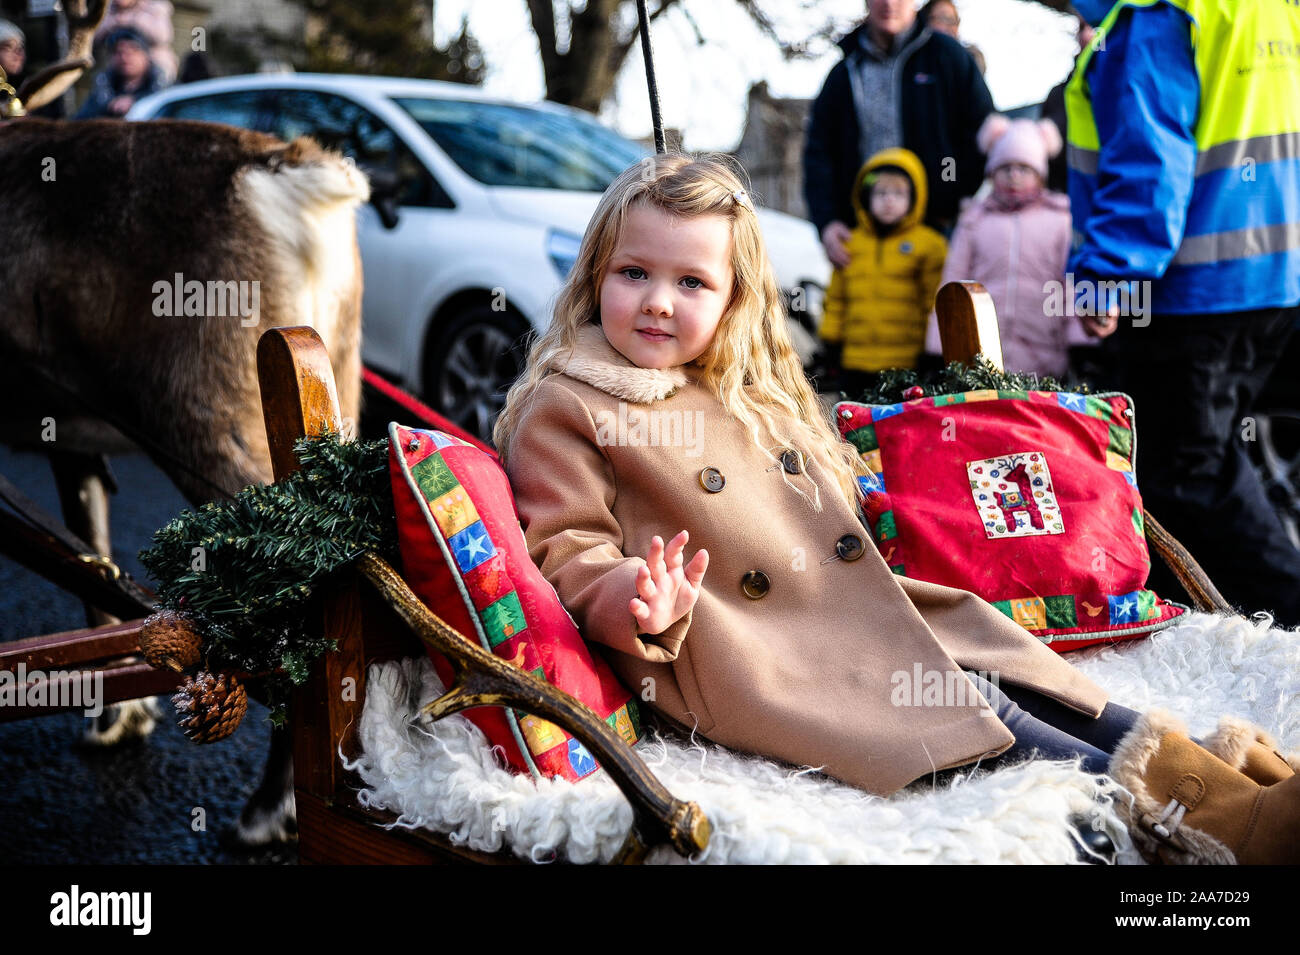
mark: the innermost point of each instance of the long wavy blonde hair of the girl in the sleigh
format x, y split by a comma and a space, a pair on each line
751, 366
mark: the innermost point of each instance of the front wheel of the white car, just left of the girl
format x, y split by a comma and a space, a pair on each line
476, 359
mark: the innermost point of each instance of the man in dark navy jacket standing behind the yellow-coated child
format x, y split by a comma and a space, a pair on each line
900, 84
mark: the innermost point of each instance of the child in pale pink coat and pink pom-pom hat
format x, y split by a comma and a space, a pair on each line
1015, 242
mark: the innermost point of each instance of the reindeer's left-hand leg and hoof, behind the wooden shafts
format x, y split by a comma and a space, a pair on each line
84, 484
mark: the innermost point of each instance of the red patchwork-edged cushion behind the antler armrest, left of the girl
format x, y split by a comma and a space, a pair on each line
465, 555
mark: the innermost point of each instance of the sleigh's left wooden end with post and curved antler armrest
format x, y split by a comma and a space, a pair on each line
378, 624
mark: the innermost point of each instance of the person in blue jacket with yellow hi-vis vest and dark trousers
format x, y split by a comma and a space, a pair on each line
1185, 184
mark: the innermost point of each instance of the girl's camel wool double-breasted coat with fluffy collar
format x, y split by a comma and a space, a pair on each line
786, 654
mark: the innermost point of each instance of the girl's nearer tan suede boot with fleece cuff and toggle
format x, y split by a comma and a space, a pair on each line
1191, 808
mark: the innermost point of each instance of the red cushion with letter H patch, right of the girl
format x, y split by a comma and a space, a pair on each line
1026, 498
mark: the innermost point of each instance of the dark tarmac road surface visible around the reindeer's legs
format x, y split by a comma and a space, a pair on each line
63, 802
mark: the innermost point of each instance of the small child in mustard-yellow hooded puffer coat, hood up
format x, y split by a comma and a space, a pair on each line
878, 305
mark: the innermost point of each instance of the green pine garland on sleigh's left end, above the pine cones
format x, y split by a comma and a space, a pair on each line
245, 570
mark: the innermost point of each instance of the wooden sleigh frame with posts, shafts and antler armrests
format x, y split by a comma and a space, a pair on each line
374, 618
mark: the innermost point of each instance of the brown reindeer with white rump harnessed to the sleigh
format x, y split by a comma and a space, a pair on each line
140, 264
